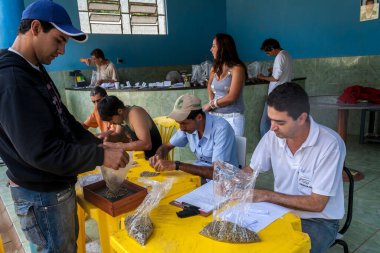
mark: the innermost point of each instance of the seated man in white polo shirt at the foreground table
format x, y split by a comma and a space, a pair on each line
307, 161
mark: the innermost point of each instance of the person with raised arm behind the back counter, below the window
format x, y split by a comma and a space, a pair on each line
105, 69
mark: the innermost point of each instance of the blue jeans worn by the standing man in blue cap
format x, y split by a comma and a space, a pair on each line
48, 219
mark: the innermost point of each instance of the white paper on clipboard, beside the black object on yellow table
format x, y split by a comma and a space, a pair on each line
202, 197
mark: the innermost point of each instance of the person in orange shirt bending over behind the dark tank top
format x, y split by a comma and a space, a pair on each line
106, 128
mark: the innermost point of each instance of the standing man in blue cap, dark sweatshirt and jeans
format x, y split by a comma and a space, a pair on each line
41, 143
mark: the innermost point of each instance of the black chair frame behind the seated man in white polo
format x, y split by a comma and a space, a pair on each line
347, 223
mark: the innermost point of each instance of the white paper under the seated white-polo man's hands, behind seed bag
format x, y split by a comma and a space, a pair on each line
254, 216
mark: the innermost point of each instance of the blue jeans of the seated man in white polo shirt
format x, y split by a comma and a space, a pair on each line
322, 233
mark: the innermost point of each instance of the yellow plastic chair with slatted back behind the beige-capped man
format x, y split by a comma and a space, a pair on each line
166, 128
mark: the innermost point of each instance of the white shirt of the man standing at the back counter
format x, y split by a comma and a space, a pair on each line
282, 70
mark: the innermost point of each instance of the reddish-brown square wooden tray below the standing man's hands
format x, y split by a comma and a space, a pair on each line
92, 193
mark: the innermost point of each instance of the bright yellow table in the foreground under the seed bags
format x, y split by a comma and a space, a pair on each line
174, 235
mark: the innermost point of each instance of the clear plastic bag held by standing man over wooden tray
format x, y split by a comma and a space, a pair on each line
115, 179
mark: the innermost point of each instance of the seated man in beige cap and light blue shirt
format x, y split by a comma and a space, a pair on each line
211, 138
